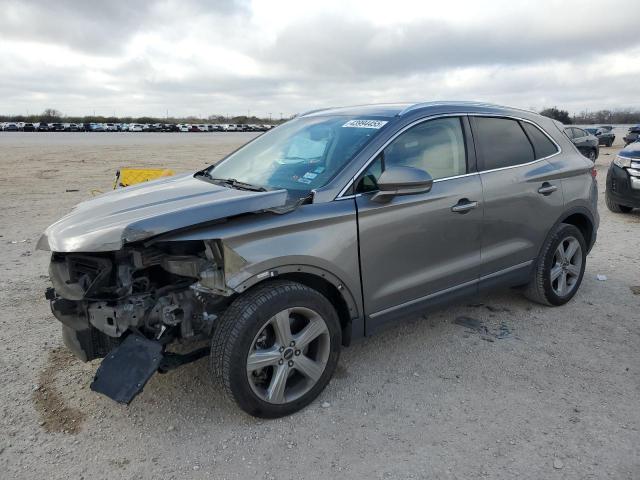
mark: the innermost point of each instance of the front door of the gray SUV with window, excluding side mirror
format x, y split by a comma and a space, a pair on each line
417, 248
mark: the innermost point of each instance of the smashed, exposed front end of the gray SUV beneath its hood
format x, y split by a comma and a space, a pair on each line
162, 294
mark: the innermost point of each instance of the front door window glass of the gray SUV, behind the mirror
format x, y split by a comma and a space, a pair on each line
436, 146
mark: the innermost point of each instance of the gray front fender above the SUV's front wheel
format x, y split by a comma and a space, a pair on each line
320, 238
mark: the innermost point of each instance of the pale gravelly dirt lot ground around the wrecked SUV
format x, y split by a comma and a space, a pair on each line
539, 393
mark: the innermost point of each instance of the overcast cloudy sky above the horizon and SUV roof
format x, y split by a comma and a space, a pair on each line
203, 57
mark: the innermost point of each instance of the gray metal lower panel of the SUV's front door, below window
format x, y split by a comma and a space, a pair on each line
415, 245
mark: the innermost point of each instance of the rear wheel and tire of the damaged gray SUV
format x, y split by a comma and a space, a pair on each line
559, 268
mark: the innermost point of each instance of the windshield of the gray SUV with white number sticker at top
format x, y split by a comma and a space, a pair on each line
300, 155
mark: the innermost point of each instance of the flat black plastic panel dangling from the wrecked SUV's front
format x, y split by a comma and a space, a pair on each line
127, 368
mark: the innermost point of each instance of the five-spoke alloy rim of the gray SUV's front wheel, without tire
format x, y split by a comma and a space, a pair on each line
288, 355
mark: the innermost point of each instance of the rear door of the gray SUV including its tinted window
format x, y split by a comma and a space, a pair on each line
522, 196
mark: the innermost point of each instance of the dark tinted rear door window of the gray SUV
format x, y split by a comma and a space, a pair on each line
502, 142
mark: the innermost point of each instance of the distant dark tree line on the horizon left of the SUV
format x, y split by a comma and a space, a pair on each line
51, 115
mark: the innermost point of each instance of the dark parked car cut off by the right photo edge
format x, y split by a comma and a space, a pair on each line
623, 180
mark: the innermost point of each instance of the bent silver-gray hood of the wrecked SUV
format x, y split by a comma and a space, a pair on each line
107, 222
